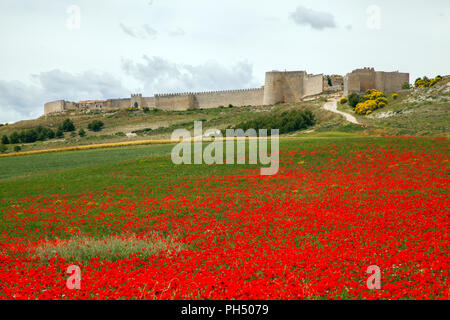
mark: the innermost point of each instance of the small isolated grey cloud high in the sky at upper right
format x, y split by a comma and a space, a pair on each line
316, 19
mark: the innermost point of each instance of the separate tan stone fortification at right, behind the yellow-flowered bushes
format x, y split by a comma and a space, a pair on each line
361, 80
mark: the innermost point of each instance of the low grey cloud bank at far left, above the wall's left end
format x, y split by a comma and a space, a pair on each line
20, 101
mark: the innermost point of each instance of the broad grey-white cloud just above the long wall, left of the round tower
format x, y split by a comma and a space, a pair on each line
162, 76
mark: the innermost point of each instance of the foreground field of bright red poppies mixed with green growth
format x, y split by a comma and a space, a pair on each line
144, 228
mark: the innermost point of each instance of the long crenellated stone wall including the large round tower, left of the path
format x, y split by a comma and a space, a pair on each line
281, 87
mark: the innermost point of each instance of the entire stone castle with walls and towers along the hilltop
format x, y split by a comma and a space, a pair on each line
280, 87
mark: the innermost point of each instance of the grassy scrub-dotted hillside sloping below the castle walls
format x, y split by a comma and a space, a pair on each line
418, 112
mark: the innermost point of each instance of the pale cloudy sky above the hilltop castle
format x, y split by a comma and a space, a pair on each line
83, 49
